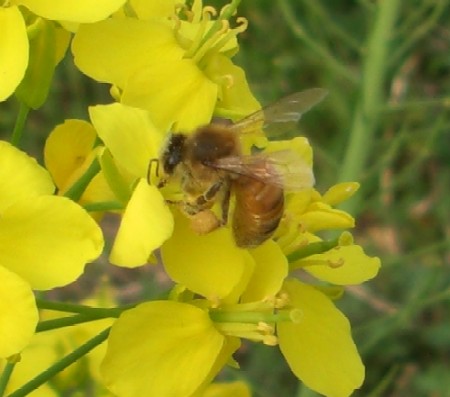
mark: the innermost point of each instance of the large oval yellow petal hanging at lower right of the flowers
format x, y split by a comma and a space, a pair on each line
319, 348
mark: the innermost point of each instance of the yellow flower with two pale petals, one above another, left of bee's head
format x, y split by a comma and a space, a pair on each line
133, 141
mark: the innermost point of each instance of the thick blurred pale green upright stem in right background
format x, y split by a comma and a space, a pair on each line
365, 119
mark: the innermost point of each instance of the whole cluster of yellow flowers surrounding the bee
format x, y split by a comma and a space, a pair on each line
170, 69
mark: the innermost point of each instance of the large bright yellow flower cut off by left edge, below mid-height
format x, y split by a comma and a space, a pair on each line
44, 240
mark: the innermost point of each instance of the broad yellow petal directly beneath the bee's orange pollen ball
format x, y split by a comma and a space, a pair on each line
210, 265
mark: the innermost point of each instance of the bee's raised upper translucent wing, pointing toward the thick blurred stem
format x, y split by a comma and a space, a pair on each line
282, 115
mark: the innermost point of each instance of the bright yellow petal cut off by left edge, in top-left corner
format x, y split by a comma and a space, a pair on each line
13, 50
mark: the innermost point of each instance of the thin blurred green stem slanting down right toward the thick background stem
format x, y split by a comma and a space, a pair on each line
327, 58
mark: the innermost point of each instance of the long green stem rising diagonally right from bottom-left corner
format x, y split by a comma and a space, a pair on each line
61, 365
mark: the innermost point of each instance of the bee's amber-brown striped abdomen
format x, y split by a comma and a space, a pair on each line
259, 208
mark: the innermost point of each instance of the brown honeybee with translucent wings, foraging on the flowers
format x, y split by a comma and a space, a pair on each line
211, 166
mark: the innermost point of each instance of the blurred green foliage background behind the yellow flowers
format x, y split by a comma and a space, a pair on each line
386, 124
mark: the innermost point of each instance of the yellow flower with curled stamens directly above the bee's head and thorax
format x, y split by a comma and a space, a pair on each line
178, 70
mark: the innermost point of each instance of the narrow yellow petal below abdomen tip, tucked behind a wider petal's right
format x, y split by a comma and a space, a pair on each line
270, 271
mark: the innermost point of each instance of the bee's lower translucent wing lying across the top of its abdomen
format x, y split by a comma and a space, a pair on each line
284, 168
